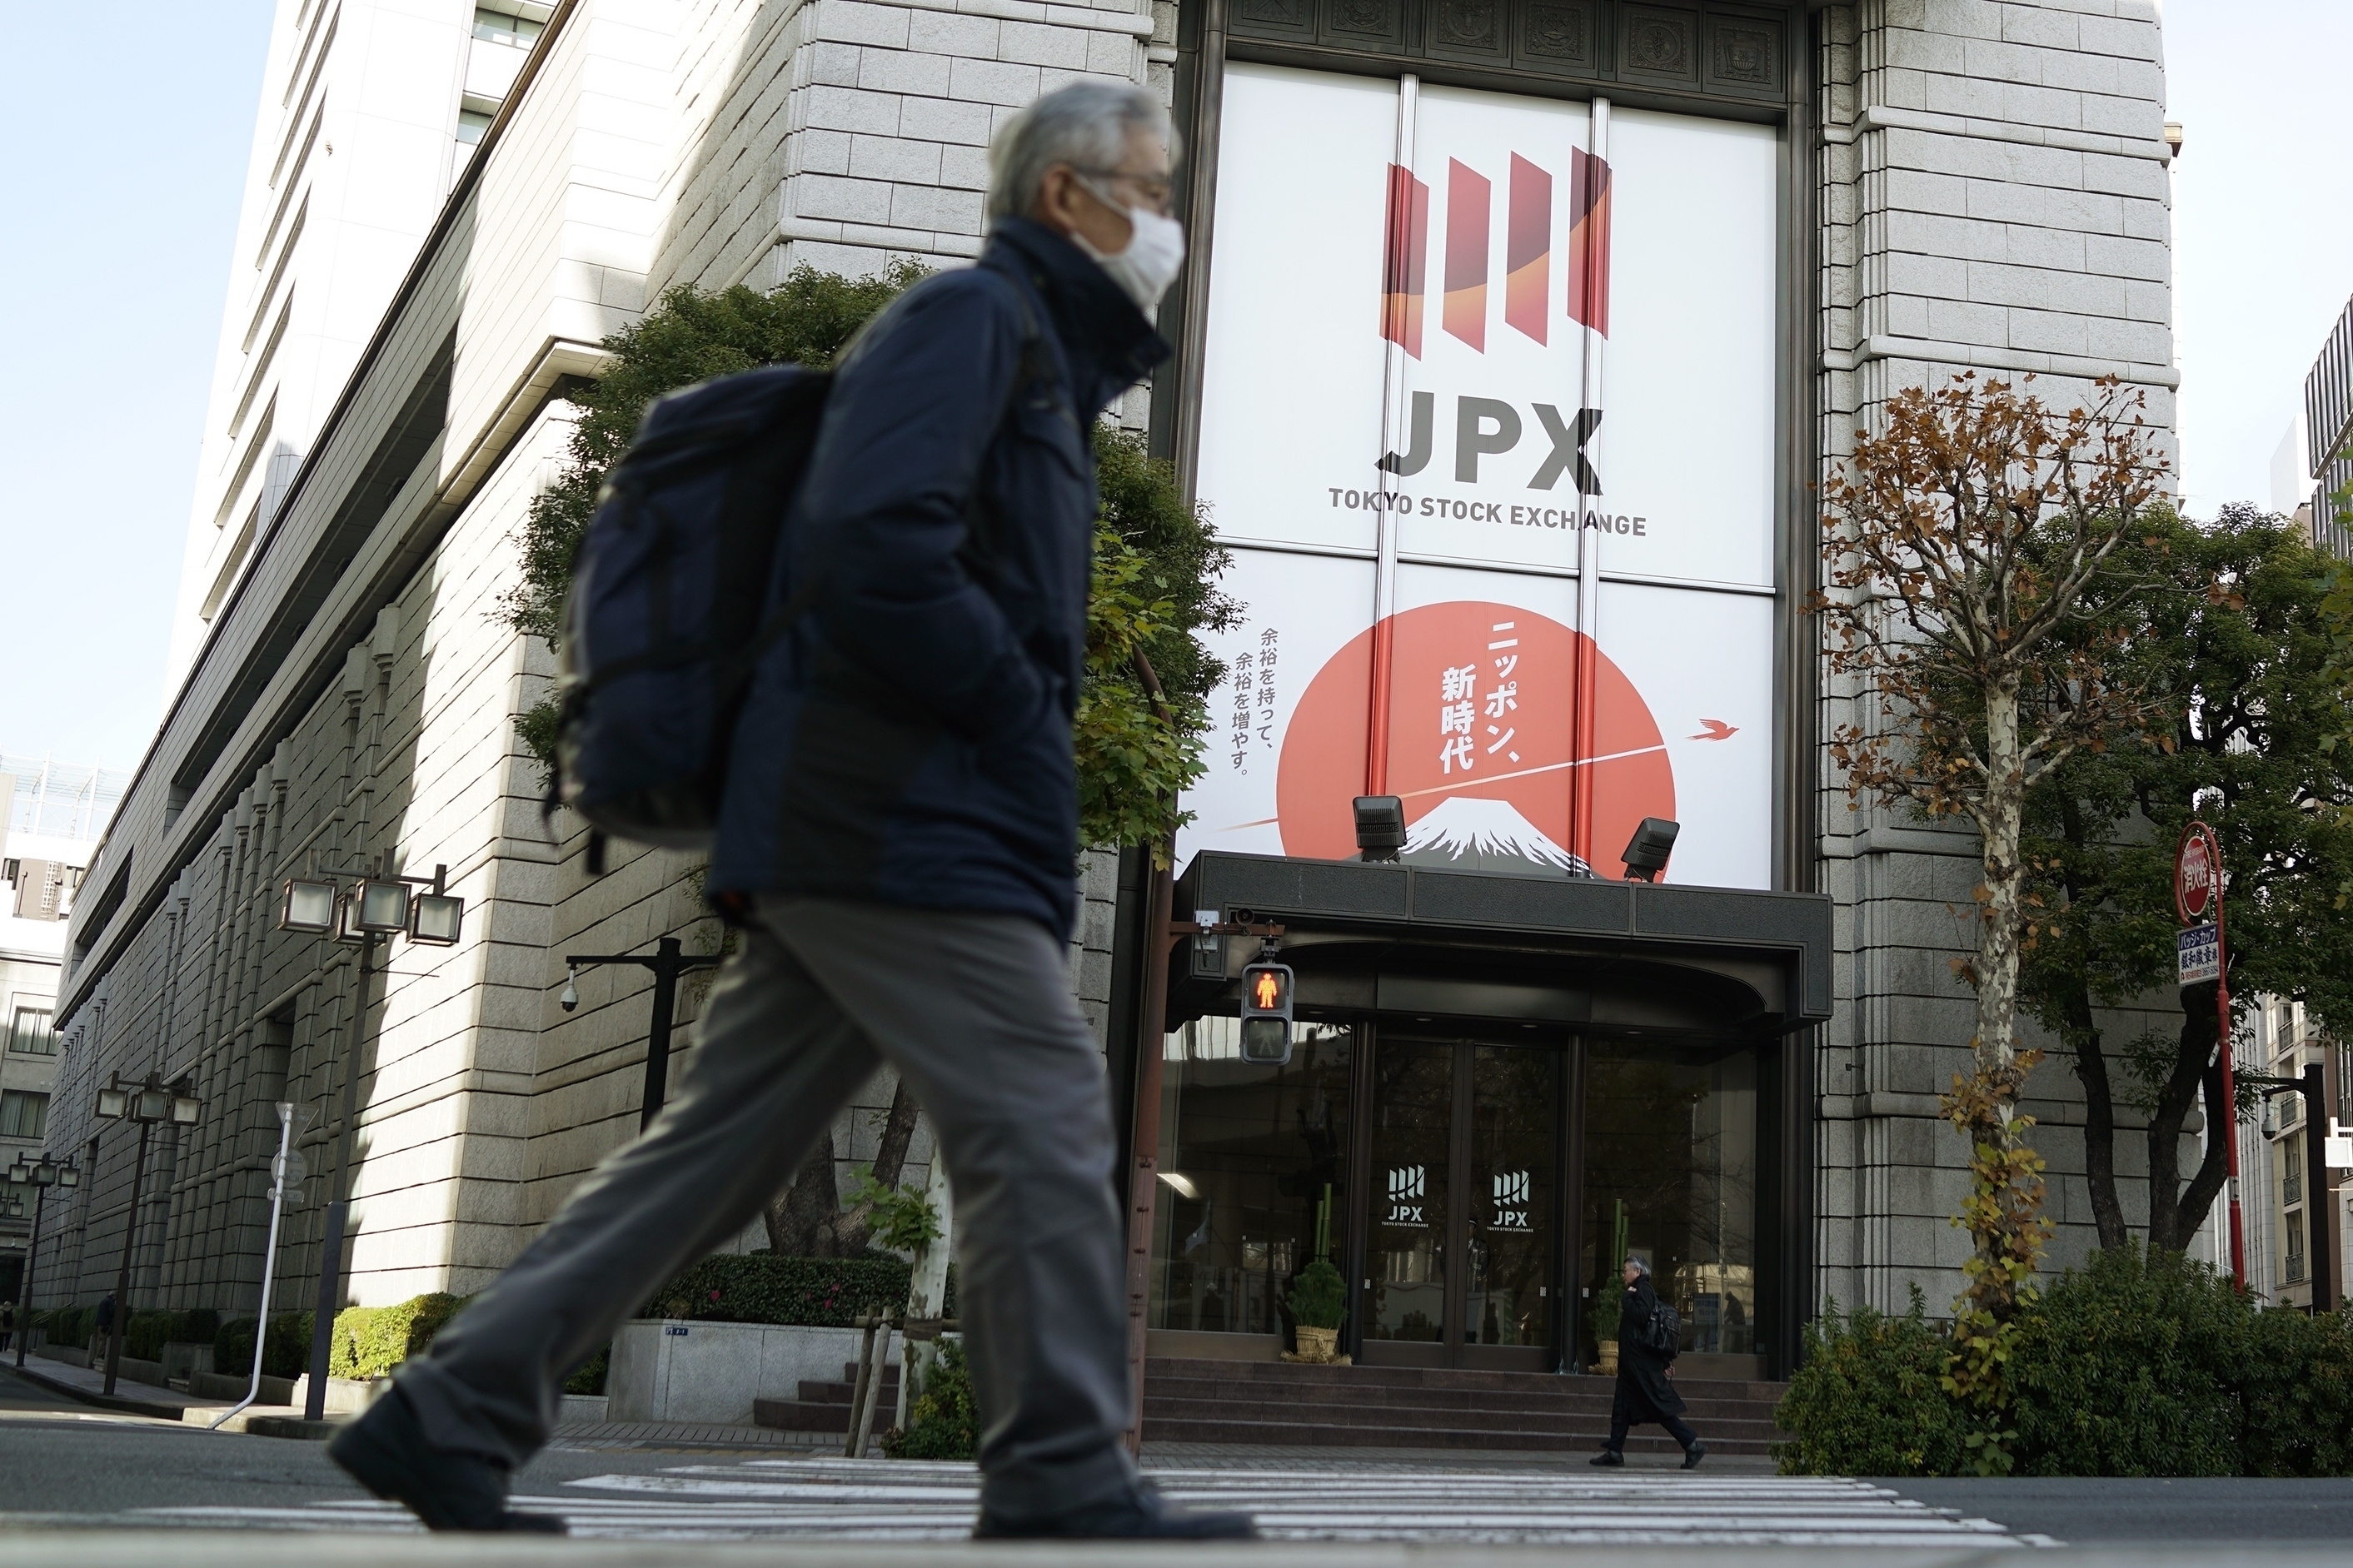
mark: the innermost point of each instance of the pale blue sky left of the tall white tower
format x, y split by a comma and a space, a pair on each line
131, 126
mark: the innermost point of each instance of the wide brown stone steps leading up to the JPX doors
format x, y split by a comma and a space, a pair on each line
1408, 1407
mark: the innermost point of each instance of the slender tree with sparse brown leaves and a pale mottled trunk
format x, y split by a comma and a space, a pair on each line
1971, 549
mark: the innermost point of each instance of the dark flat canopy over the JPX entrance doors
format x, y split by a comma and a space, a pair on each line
1604, 958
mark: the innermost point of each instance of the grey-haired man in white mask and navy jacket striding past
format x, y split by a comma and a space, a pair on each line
895, 852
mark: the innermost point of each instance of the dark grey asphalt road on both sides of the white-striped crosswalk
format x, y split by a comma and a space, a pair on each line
65, 1463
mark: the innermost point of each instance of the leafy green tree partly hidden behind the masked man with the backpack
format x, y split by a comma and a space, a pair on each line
1154, 575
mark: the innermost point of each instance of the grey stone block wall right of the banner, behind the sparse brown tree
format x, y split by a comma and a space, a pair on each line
1994, 196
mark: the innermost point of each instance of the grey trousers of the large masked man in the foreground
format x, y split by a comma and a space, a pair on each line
978, 1017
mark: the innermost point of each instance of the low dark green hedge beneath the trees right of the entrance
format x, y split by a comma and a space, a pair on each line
2138, 1365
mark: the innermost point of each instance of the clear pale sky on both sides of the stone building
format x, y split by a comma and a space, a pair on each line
133, 126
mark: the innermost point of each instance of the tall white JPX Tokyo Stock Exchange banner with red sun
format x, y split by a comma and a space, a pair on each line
1491, 429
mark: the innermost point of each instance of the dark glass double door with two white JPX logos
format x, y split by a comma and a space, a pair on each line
1462, 1231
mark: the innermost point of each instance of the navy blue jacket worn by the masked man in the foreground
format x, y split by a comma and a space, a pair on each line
909, 742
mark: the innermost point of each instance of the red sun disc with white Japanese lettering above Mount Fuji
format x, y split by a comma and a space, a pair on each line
1512, 746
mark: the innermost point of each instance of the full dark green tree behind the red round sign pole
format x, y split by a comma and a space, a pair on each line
2239, 652
